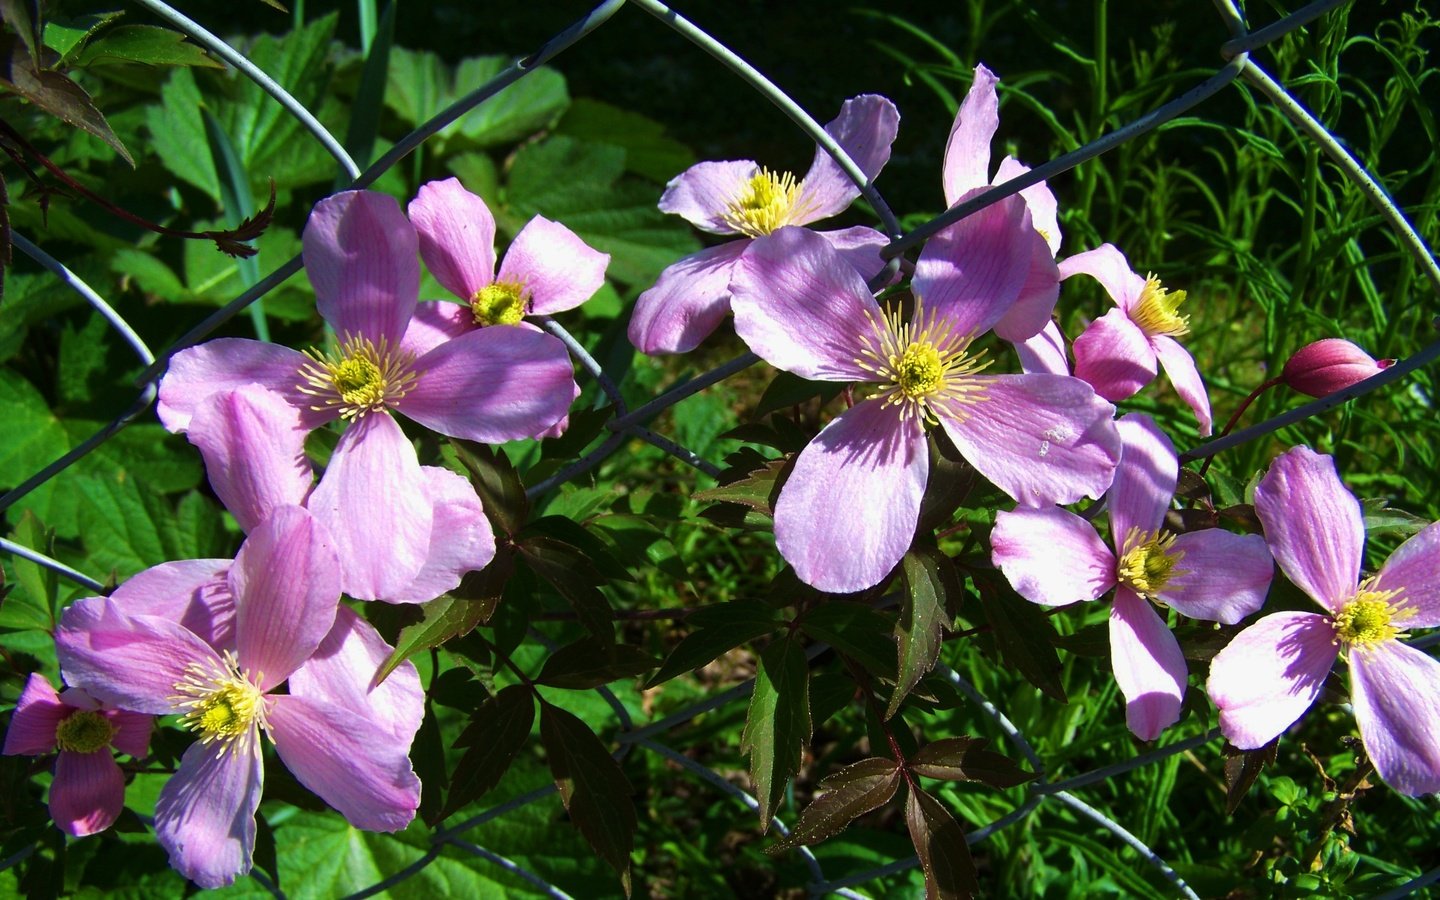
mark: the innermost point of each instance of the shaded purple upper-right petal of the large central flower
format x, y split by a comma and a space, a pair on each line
974, 271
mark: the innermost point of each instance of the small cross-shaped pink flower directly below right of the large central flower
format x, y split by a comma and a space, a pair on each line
1055, 558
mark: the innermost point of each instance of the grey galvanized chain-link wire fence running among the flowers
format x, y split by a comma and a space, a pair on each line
630, 424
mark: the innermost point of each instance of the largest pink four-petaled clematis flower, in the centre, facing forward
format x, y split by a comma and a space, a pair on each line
852, 505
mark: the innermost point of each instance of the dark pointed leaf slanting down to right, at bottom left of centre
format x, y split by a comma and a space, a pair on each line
593, 787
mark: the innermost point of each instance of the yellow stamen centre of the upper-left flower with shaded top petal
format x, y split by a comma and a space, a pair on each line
358, 378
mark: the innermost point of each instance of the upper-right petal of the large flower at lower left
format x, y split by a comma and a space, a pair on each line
342, 673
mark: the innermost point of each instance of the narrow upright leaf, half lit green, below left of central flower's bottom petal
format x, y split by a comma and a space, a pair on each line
778, 724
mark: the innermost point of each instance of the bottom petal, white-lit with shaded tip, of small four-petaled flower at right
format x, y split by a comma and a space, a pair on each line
1148, 666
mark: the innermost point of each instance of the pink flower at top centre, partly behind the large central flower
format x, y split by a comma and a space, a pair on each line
739, 198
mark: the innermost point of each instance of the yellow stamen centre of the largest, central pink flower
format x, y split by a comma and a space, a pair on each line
922, 365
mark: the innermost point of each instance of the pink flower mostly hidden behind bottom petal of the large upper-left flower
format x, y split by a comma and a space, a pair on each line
254, 453
